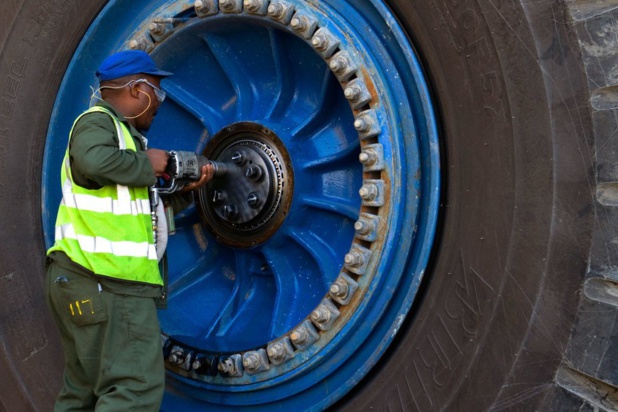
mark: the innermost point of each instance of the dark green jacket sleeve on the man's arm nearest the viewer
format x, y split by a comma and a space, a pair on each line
97, 161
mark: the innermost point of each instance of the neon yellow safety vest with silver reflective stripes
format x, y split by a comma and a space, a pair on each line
107, 230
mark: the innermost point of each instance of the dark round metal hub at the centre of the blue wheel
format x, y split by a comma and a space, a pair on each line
247, 205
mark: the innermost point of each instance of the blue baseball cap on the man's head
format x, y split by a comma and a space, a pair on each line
128, 62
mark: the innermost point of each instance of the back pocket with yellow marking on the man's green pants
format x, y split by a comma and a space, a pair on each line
82, 300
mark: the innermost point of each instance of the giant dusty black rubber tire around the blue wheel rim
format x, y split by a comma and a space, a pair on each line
526, 215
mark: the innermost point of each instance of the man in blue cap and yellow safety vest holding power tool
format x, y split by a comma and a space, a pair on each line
104, 282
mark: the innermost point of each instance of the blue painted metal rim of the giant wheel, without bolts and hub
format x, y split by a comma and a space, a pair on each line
232, 68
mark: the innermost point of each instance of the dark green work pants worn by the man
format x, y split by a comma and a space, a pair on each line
112, 346
